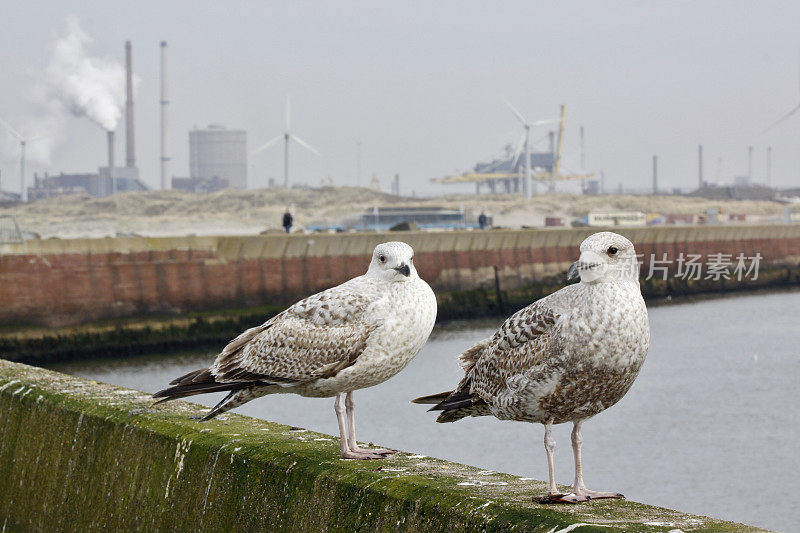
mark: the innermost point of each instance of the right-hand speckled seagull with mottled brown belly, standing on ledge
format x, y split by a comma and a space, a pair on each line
564, 358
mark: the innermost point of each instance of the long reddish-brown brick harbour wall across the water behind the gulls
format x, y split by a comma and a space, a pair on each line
64, 288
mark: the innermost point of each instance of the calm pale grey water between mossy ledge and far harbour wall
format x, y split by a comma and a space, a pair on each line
710, 426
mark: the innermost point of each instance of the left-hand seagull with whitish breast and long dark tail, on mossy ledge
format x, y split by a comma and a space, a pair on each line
352, 336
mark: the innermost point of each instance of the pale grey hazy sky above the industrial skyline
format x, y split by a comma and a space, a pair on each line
421, 85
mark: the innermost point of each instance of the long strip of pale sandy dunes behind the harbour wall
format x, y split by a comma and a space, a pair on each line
253, 211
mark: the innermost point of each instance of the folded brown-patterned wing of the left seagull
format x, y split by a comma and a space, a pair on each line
315, 338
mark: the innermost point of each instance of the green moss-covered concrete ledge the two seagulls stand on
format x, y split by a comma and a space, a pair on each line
80, 455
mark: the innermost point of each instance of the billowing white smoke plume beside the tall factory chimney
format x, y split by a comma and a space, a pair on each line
87, 86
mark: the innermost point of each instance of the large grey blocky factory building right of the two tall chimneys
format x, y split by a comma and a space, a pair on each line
217, 152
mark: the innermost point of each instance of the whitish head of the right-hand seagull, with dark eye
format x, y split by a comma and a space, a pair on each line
605, 256
